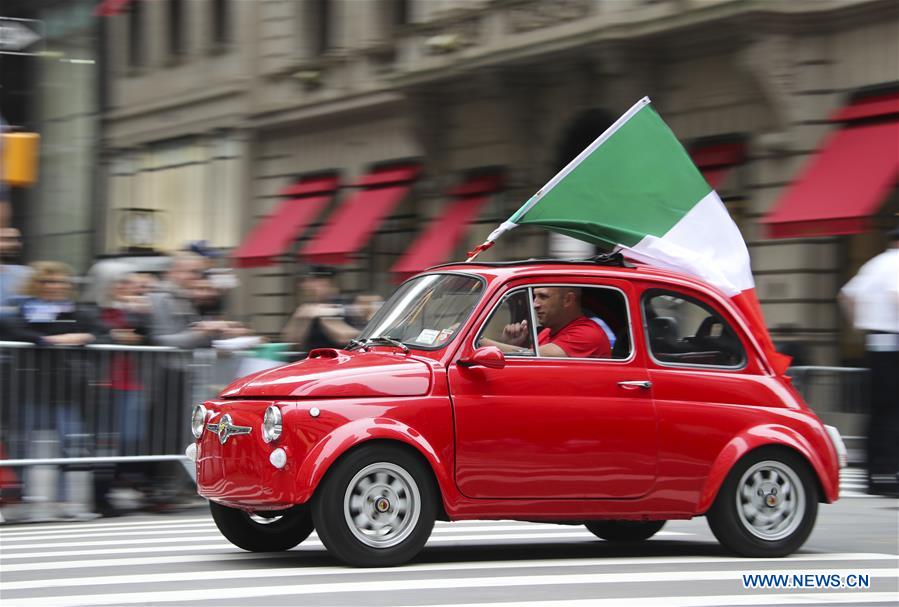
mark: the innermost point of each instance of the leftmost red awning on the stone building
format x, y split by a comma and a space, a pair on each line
274, 234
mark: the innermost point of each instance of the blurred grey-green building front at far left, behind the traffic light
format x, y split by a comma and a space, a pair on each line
52, 87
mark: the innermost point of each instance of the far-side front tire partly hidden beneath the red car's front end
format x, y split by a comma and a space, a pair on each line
285, 529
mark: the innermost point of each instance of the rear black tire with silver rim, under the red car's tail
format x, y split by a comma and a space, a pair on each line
781, 525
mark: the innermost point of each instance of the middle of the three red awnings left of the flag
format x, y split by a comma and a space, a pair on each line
353, 222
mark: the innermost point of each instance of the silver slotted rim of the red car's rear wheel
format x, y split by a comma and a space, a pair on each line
770, 500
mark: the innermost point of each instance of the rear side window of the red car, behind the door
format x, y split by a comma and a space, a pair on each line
684, 330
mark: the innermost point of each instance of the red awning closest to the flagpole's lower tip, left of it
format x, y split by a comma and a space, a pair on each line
436, 243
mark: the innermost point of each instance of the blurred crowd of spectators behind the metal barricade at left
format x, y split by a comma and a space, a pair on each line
124, 311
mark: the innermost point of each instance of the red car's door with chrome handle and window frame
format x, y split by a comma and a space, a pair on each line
546, 428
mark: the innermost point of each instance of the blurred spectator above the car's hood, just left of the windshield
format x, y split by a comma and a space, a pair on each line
320, 321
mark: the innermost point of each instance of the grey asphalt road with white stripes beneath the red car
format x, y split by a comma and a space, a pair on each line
181, 559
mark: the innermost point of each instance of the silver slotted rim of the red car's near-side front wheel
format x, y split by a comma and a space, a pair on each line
382, 505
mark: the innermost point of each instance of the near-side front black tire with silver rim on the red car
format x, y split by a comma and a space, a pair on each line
346, 508
